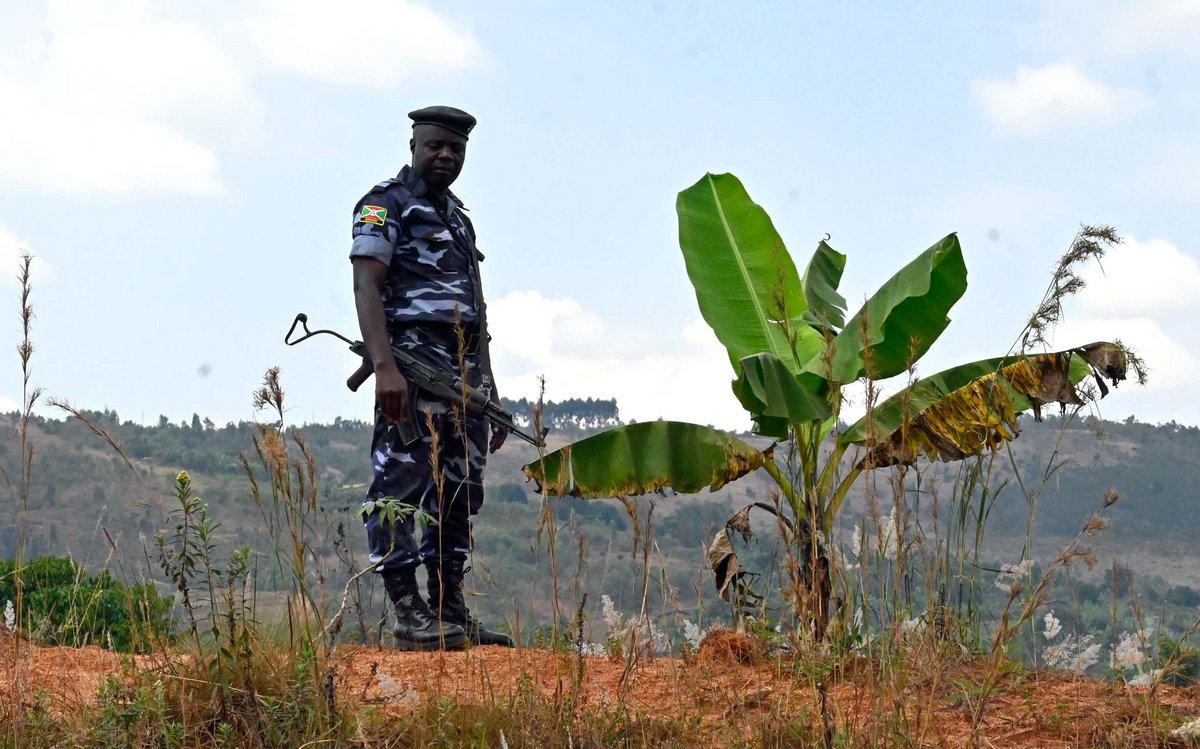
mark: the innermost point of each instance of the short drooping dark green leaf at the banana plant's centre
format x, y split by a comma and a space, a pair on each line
777, 399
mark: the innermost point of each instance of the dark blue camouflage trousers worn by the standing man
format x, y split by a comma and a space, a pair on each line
442, 474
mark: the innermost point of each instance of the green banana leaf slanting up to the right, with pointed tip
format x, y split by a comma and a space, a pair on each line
901, 321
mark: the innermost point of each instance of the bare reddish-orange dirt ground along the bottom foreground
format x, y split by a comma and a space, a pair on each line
729, 687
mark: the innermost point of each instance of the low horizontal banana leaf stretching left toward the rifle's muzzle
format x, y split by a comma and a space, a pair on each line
646, 458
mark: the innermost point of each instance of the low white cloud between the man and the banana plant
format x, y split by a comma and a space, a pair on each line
580, 356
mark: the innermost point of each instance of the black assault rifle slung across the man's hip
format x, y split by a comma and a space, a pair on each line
434, 381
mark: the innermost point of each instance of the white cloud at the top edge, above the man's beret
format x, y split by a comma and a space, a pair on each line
370, 45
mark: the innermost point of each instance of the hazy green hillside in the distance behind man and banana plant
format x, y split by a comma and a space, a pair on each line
85, 502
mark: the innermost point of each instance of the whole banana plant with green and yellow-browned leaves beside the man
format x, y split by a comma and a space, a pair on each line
794, 351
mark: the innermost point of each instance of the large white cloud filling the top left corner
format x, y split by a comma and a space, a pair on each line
95, 95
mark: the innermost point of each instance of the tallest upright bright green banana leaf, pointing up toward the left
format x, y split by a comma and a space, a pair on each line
746, 283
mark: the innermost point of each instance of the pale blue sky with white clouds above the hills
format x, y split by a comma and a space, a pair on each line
185, 175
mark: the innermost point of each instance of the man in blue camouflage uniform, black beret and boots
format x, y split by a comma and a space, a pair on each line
417, 286
